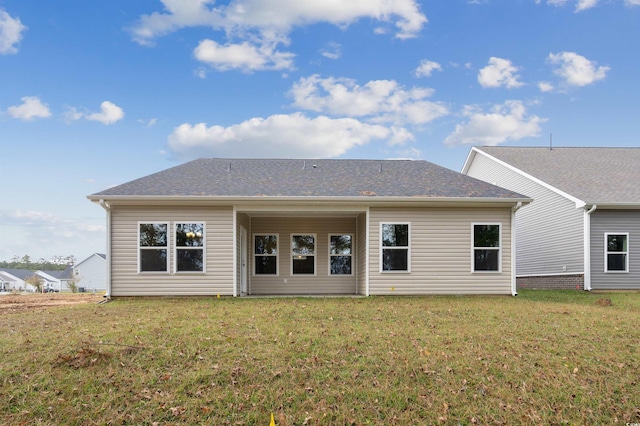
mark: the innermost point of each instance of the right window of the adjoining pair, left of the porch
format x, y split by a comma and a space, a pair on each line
189, 247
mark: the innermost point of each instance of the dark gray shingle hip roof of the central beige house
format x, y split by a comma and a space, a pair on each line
211, 177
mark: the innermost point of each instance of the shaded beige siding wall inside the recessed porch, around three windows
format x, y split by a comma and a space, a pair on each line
322, 282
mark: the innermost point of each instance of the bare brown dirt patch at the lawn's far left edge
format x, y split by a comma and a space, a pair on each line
13, 303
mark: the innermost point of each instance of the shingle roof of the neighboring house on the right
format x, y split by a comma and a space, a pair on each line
601, 176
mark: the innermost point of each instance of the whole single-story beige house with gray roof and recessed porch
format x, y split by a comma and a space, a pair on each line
309, 227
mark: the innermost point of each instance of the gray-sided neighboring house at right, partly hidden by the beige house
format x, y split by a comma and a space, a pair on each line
583, 227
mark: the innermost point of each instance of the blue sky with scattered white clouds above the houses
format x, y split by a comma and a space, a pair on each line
98, 93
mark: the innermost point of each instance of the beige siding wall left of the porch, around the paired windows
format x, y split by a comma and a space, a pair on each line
218, 275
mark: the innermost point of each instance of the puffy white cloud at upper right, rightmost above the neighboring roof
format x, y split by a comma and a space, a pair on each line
576, 70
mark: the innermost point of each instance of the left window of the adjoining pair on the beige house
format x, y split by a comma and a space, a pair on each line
153, 246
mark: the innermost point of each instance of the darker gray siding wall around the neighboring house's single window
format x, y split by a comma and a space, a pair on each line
615, 221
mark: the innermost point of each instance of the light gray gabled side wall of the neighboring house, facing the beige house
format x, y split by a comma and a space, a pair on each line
550, 233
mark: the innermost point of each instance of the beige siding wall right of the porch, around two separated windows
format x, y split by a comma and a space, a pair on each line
441, 252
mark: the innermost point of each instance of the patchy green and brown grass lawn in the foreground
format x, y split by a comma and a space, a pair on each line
544, 357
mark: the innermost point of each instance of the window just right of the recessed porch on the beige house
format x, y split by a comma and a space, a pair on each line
395, 247
